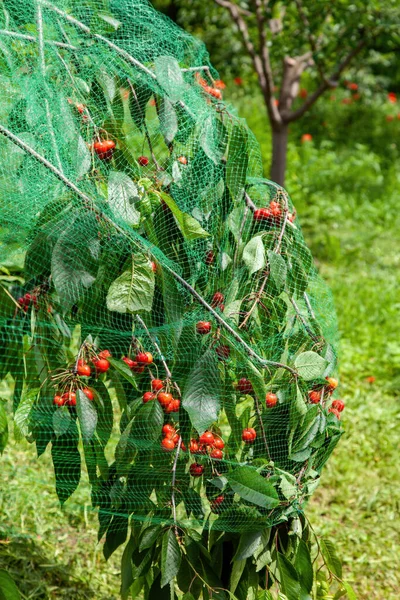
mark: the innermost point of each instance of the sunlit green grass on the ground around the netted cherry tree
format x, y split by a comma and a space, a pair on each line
351, 224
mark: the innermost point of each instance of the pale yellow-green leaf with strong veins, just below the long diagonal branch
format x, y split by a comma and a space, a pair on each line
134, 289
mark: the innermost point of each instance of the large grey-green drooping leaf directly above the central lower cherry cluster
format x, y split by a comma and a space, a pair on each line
201, 396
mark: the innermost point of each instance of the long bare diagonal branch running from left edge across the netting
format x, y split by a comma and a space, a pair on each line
90, 203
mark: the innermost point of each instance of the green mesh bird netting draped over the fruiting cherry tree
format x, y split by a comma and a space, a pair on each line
169, 332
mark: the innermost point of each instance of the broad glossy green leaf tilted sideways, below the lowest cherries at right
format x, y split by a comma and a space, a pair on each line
254, 488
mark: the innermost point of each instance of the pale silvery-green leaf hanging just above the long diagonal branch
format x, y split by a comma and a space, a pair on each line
122, 196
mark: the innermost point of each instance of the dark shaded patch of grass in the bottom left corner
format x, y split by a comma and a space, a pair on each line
39, 576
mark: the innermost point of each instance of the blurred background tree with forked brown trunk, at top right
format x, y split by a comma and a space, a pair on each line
282, 40
